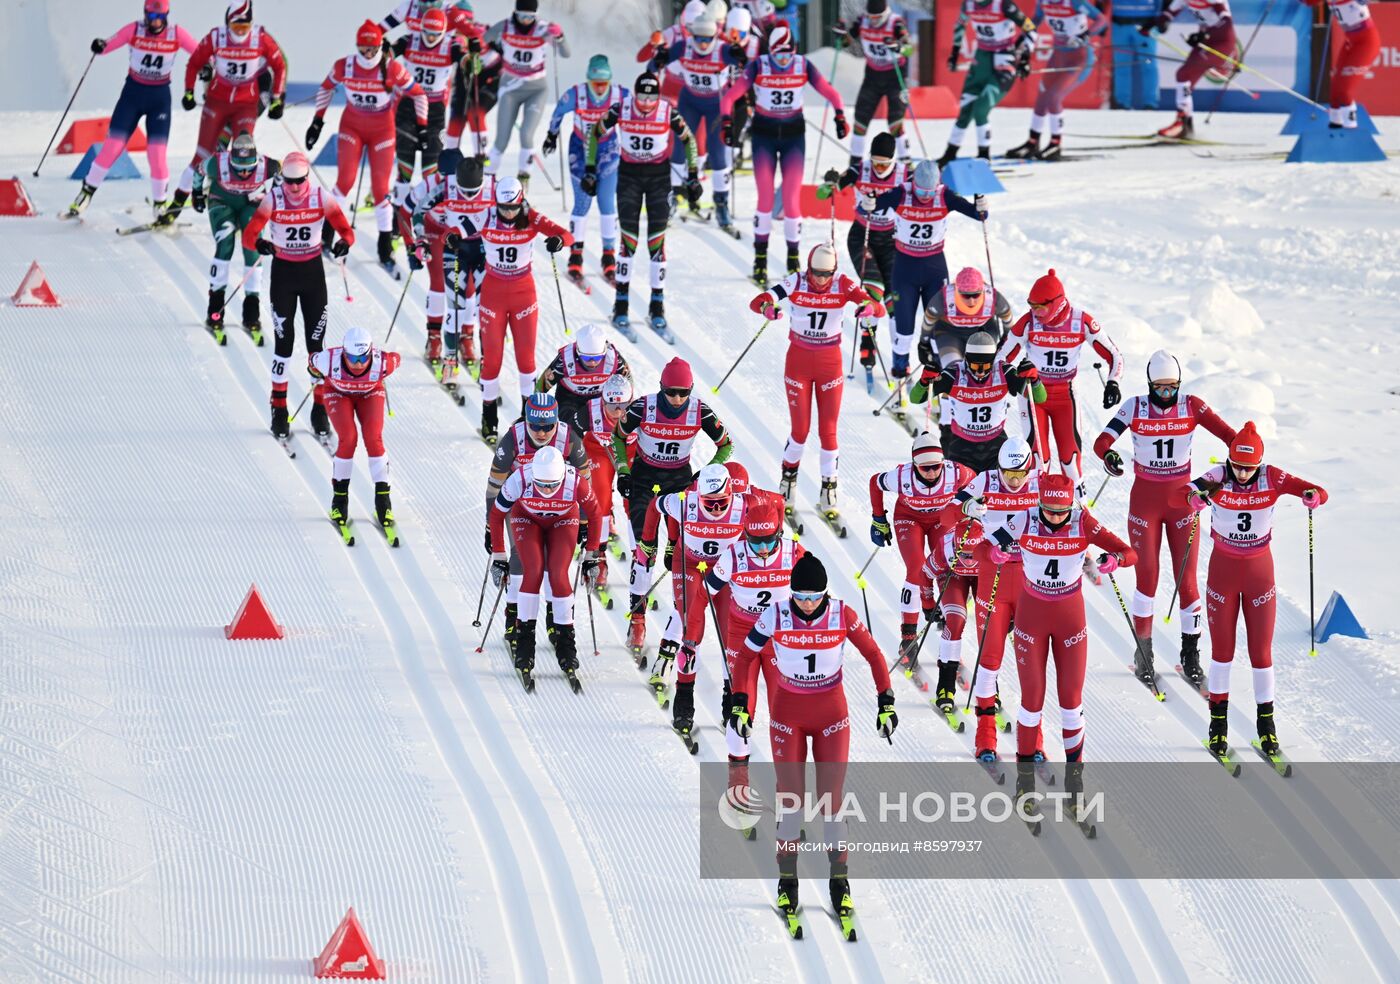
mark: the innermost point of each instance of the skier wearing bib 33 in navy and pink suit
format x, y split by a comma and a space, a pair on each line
779, 138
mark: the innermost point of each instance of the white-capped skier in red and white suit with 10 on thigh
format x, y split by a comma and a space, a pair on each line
923, 488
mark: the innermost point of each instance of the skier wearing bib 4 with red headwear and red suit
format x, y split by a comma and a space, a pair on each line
1055, 542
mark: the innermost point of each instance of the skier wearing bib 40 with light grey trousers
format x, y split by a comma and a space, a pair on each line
524, 43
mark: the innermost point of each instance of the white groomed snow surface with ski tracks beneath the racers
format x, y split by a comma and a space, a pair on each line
178, 808
